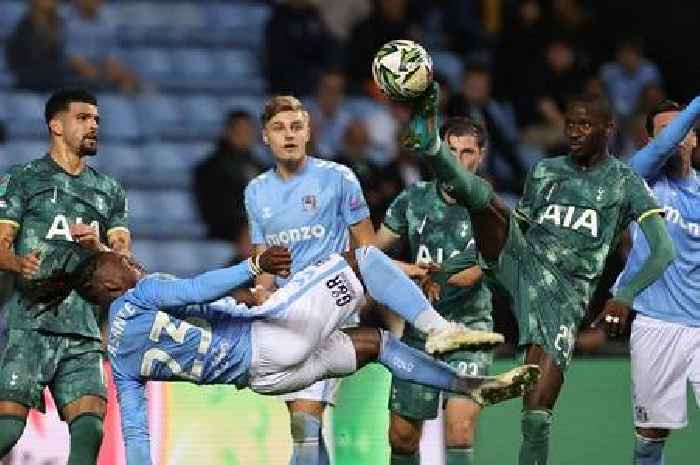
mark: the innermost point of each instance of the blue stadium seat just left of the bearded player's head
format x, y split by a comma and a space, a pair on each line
27, 112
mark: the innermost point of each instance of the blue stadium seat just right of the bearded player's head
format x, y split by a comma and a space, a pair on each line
119, 118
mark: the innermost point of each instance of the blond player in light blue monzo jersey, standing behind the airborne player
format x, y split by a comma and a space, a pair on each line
315, 208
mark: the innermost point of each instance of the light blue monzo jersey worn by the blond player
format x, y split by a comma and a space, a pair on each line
309, 213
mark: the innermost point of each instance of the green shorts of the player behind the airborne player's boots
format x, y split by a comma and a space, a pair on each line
420, 402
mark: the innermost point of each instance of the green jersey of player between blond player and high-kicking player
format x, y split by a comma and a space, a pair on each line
435, 231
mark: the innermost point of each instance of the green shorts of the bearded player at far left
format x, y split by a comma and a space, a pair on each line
71, 366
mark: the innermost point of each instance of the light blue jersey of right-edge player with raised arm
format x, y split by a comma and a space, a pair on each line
675, 296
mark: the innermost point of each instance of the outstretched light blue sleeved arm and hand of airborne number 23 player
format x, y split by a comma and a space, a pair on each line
213, 284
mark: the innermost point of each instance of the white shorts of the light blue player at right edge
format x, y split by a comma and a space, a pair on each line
665, 357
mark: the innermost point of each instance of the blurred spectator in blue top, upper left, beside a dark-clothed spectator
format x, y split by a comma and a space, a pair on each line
91, 41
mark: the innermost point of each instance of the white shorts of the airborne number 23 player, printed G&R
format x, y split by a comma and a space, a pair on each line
312, 306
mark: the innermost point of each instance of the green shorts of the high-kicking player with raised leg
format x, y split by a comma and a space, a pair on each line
547, 307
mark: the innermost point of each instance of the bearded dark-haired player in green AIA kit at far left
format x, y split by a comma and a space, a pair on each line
44, 203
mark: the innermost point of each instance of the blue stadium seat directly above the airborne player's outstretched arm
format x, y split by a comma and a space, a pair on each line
183, 258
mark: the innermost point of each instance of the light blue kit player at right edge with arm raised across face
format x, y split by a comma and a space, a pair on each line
665, 340
